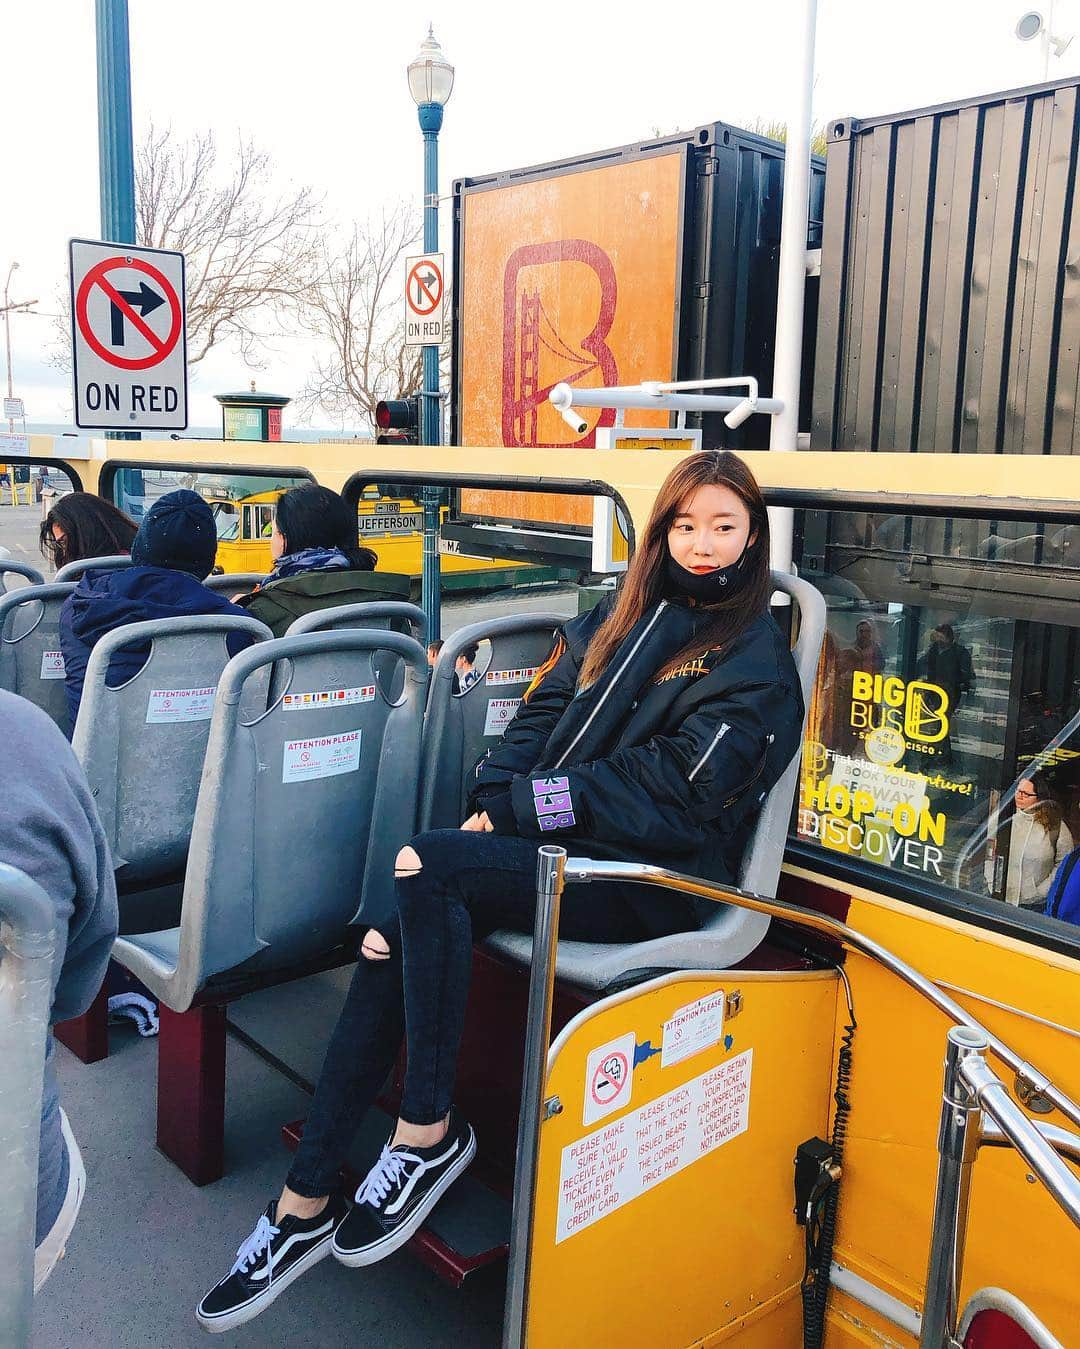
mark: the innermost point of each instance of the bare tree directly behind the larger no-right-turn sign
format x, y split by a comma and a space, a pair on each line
249, 254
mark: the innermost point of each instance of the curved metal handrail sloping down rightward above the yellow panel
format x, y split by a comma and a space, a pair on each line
584, 869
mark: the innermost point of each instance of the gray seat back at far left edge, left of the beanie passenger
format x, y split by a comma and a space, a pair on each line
30, 629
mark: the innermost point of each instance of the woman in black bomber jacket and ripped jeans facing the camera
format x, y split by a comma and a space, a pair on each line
653, 732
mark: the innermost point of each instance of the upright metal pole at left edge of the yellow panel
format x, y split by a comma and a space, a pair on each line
551, 868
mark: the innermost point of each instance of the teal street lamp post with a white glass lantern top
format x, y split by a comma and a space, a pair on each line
431, 83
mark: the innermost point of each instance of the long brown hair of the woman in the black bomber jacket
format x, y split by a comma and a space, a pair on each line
644, 583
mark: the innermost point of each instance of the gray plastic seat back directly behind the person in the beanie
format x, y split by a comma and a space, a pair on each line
145, 774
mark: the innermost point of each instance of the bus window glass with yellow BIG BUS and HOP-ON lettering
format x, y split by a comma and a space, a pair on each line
944, 730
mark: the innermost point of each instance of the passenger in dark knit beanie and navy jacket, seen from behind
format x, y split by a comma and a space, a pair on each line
173, 551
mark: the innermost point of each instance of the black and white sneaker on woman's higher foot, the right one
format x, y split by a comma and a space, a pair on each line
400, 1192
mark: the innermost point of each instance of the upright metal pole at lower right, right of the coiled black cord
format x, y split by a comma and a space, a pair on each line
958, 1145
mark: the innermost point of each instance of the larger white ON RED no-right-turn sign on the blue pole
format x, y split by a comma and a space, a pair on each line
129, 345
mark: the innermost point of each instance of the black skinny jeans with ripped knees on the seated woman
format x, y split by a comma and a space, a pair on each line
470, 886
